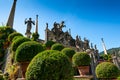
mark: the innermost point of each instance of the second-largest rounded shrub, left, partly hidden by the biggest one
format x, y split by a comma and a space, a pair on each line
27, 50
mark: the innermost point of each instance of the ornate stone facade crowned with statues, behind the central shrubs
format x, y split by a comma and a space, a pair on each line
56, 34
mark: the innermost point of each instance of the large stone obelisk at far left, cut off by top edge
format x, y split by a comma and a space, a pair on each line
11, 16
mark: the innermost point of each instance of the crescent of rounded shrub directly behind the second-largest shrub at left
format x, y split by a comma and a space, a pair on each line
17, 42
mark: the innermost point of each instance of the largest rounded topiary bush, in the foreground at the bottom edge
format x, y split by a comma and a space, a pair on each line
49, 65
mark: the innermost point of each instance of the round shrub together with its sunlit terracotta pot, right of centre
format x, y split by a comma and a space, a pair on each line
82, 61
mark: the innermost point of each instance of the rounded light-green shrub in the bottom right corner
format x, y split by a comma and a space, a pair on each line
107, 70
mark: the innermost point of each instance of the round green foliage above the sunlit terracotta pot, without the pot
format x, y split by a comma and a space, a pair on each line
81, 59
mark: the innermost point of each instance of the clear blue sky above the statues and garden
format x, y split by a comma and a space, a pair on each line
93, 19
